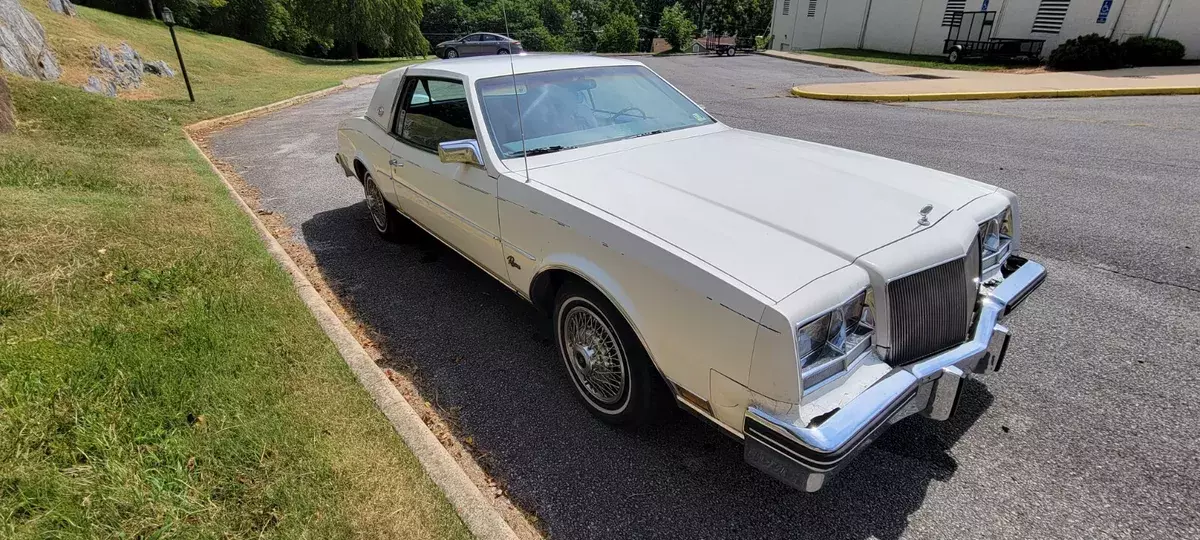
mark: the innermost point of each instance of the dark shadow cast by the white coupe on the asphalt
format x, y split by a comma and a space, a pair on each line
484, 356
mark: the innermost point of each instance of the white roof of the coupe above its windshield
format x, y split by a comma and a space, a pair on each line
481, 68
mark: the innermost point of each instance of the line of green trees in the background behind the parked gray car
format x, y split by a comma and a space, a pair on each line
388, 28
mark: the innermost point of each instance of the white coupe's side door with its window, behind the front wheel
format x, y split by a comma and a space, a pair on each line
457, 202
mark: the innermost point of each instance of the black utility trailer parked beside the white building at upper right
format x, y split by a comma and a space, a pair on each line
970, 38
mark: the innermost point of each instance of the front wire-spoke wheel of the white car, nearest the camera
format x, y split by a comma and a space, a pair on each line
595, 356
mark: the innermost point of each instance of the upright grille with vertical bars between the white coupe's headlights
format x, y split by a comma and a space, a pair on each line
928, 313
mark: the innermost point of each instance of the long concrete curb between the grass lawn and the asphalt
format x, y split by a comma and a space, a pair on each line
476, 511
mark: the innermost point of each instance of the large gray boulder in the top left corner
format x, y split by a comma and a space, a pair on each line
23, 49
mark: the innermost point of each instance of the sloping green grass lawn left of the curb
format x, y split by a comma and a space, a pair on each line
159, 376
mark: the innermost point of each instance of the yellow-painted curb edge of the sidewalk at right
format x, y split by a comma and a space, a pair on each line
799, 92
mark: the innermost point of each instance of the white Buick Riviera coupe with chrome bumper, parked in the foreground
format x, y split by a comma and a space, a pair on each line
801, 298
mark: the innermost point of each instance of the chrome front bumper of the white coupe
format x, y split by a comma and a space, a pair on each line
805, 458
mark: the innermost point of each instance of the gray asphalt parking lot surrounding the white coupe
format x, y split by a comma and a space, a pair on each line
1089, 433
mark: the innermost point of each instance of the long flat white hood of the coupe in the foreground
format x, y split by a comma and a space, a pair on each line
770, 212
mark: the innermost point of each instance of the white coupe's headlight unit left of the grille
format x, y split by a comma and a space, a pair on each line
836, 333
